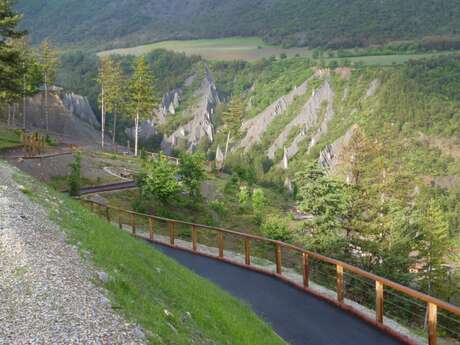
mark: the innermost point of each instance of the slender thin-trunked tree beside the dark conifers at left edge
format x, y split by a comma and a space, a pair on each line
48, 58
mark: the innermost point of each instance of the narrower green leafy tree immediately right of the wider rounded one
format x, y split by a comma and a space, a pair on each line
192, 172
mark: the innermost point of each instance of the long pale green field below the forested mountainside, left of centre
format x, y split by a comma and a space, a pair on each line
233, 48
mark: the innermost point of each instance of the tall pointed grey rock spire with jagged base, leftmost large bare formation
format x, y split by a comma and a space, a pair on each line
201, 126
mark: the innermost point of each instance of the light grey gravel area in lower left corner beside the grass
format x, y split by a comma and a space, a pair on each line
48, 293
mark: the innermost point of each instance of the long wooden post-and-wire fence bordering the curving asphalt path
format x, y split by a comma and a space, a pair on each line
405, 305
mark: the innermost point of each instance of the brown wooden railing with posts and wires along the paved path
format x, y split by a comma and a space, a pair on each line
148, 227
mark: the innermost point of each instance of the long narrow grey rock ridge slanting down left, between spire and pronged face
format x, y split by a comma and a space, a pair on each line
256, 126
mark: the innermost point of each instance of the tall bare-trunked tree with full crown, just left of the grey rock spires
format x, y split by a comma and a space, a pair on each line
142, 98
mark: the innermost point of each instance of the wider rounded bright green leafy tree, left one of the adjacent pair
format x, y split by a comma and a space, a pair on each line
158, 179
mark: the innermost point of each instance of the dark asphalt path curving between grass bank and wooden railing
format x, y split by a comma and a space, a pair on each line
299, 318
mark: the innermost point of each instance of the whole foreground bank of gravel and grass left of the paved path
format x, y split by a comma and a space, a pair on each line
165, 301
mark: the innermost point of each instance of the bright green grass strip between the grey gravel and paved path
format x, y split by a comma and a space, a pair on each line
144, 283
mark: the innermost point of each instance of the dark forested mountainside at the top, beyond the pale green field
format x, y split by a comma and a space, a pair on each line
119, 23
